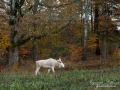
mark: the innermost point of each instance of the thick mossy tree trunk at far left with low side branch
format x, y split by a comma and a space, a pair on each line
15, 15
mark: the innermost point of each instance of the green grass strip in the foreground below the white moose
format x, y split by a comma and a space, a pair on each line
63, 80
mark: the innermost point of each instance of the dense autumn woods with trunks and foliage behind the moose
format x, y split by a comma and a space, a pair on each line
71, 29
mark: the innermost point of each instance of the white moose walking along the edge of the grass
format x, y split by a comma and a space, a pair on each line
48, 63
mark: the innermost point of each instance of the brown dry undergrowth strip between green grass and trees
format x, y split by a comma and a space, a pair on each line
91, 63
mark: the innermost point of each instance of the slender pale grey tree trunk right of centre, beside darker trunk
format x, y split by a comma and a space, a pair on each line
84, 51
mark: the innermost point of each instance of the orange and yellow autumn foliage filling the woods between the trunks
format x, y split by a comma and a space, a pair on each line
57, 27
